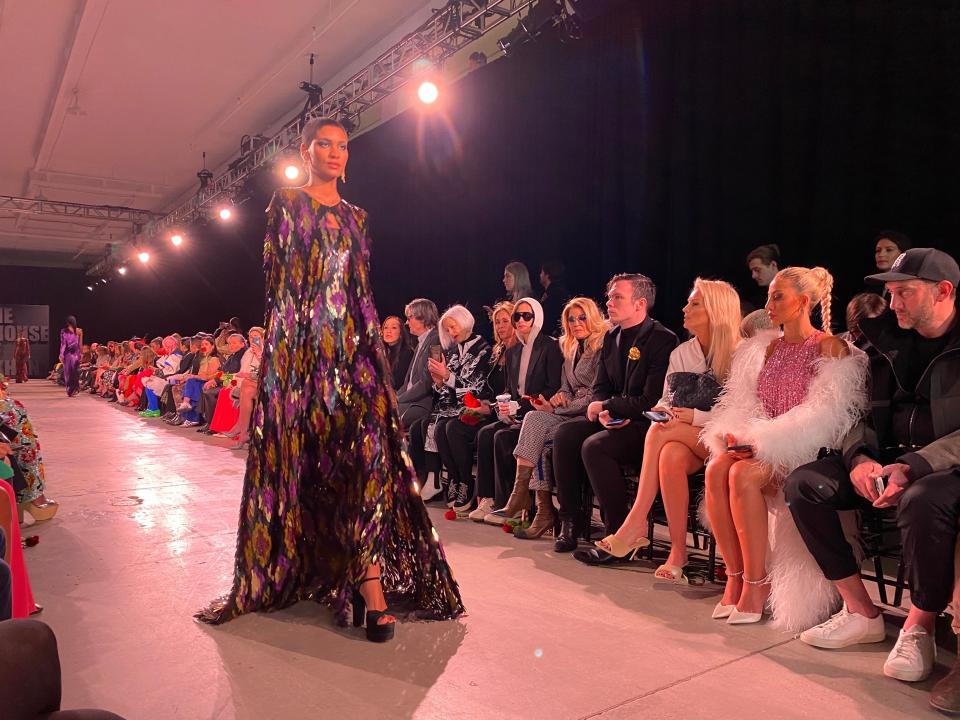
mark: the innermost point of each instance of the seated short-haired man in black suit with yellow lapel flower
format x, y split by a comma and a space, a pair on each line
633, 364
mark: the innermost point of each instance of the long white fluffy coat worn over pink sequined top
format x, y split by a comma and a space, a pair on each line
836, 400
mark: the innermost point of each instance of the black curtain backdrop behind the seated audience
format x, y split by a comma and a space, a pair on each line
670, 140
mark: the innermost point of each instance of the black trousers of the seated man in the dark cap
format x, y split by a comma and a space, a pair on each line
927, 516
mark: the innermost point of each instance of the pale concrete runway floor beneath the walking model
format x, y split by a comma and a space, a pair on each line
146, 534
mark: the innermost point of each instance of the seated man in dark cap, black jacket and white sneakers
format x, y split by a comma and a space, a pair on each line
909, 442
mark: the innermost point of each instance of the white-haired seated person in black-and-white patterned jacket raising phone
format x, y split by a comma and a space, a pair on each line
461, 370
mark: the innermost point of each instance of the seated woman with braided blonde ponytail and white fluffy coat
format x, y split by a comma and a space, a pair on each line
788, 395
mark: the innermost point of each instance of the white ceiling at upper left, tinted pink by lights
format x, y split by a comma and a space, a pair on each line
112, 102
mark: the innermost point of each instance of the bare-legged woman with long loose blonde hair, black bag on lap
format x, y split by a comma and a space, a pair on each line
672, 448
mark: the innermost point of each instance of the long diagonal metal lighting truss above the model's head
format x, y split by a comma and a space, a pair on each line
458, 24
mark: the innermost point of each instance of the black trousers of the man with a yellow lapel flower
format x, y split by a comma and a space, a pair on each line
583, 451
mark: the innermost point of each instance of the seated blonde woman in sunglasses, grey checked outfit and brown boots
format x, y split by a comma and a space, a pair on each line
583, 329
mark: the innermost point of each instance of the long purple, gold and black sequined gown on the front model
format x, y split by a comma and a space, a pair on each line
329, 488
